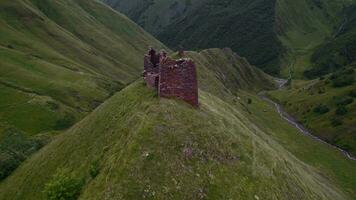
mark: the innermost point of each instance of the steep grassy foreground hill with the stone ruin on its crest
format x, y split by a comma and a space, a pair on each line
145, 147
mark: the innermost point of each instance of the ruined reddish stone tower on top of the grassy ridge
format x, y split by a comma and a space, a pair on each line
172, 78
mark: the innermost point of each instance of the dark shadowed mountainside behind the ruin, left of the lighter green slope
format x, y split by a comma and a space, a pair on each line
243, 26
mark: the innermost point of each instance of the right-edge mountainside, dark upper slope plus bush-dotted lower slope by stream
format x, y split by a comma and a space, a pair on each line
326, 104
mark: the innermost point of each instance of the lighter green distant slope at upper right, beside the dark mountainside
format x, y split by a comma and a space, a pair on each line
304, 25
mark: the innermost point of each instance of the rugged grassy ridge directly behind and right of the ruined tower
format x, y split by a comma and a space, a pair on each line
233, 71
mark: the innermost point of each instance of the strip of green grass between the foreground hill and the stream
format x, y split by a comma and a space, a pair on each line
324, 159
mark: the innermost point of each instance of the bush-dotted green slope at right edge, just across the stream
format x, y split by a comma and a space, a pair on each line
326, 106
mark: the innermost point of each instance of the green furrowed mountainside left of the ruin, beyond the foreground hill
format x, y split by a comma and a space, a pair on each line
58, 61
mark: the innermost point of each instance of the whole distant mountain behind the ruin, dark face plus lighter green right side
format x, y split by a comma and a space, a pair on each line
274, 35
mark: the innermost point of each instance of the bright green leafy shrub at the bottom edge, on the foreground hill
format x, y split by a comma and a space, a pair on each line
63, 187
